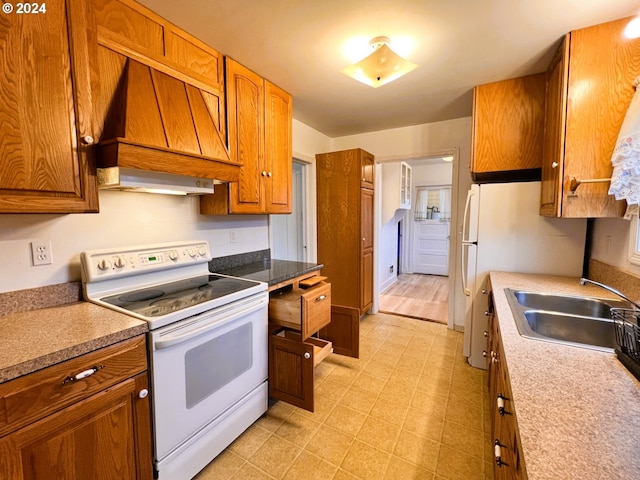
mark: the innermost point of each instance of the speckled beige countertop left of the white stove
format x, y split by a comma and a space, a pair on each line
39, 338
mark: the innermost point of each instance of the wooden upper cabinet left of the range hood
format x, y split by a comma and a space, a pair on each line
45, 111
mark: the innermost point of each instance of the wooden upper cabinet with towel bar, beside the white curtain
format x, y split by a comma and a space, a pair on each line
589, 88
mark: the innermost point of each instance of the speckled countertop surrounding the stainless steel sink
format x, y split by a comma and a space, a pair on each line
578, 410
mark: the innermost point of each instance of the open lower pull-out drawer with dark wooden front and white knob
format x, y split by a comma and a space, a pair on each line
292, 361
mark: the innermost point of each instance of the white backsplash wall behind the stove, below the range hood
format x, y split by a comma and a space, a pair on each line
125, 218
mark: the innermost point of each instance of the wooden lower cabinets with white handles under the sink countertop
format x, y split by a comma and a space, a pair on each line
508, 460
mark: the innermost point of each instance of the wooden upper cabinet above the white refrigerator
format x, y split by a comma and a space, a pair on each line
508, 125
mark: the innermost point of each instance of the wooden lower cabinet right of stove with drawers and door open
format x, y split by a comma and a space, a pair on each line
303, 327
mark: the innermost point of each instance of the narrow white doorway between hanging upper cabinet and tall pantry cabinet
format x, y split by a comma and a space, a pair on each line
288, 233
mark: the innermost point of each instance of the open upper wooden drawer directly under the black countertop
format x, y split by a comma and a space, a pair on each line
306, 311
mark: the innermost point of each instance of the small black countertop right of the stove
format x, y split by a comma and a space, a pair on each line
271, 271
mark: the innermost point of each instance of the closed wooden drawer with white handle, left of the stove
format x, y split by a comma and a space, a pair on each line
34, 396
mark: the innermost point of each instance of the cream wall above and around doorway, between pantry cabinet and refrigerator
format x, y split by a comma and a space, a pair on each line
419, 141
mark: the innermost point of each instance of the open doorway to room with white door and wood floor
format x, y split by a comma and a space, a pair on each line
420, 288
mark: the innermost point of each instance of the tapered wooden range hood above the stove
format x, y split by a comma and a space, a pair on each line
161, 127
